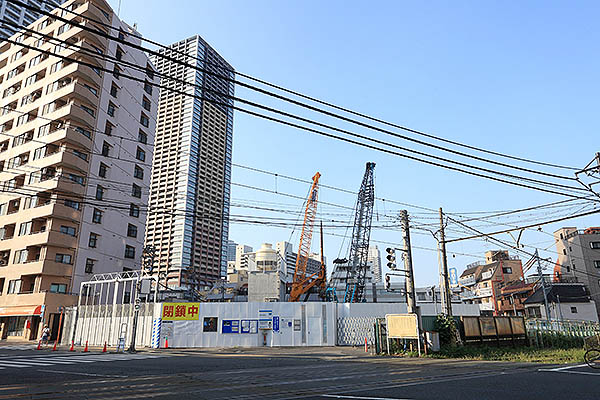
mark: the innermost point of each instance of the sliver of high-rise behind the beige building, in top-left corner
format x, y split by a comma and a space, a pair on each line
16, 14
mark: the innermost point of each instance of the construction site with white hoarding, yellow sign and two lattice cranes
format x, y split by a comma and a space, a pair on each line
270, 306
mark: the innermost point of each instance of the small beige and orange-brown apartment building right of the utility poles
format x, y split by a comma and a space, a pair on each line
481, 282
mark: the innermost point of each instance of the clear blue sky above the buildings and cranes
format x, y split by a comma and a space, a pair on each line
515, 77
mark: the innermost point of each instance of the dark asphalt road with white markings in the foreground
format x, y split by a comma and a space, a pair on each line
307, 373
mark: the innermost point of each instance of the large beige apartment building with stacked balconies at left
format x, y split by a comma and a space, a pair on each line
75, 151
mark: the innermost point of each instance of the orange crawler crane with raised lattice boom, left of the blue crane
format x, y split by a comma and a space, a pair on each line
303, 284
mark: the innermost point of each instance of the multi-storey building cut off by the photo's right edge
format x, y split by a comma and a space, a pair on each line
579, 258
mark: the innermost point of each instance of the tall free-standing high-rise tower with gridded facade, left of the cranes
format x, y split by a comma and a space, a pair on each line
192, 165
